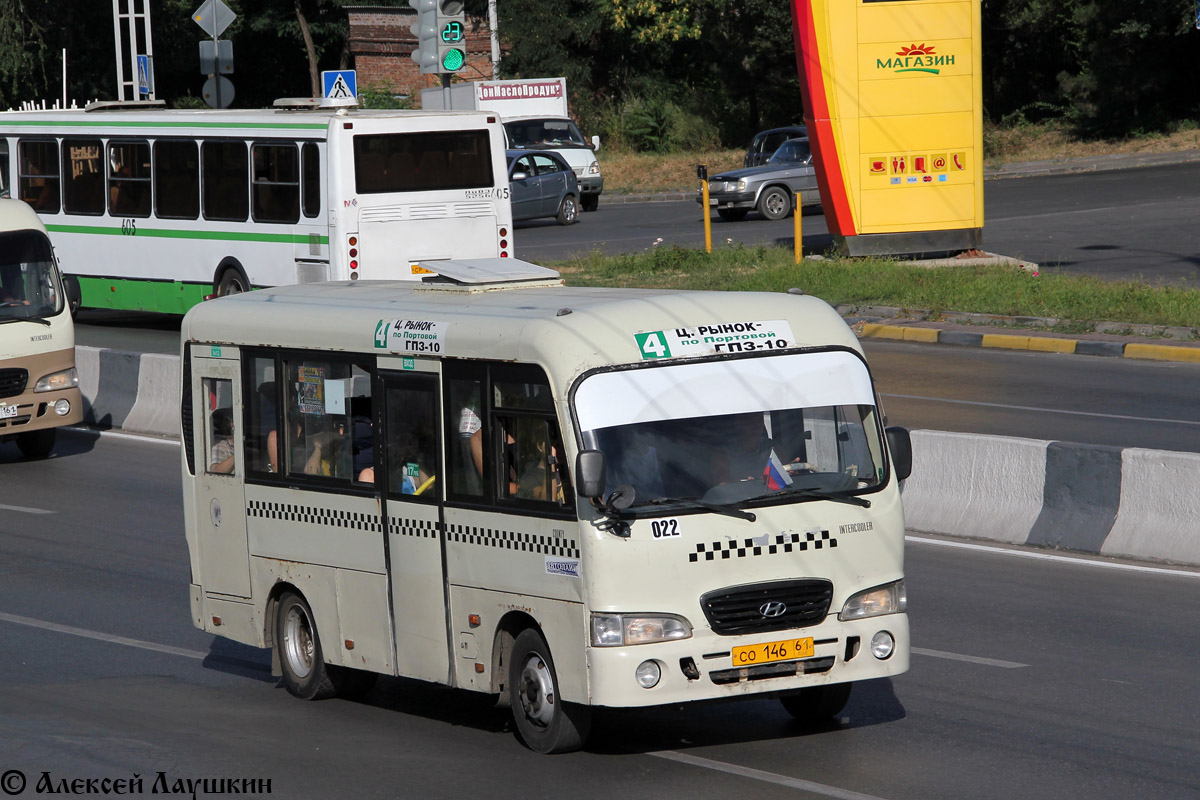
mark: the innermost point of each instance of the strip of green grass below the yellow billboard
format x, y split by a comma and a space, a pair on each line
988, 290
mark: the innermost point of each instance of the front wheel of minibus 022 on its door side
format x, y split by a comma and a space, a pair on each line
545, 723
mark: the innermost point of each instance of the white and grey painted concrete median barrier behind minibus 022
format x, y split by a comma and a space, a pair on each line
1133, 503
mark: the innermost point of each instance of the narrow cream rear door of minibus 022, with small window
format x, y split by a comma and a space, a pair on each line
220, 467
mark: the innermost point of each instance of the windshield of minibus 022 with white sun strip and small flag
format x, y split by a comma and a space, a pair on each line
784, 429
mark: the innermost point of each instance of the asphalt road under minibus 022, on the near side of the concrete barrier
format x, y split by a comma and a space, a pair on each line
1034, 677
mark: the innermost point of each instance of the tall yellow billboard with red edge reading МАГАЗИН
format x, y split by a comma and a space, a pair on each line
893, 103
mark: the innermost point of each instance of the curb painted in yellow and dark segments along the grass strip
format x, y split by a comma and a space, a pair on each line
1042, 344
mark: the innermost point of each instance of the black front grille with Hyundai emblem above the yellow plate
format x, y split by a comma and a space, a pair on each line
773, 606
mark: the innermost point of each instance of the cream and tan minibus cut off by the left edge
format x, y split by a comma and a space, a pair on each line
39, 383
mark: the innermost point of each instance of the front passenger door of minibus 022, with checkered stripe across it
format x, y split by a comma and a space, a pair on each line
410, 456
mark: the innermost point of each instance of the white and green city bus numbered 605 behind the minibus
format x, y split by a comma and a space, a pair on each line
155, 210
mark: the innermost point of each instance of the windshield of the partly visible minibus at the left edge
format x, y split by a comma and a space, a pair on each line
29, 284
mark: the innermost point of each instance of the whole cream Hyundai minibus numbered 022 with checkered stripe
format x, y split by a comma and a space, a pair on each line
563, 497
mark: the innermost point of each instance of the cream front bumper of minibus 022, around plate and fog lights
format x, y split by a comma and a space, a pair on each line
842, 654
